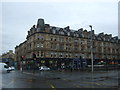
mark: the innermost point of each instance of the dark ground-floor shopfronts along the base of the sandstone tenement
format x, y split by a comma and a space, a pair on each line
61, 63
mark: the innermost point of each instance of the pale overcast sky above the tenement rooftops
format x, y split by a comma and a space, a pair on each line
19, 16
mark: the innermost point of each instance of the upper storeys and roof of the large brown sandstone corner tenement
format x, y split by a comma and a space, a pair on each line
54, 42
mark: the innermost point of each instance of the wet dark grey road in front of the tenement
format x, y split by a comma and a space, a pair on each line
61, 79
